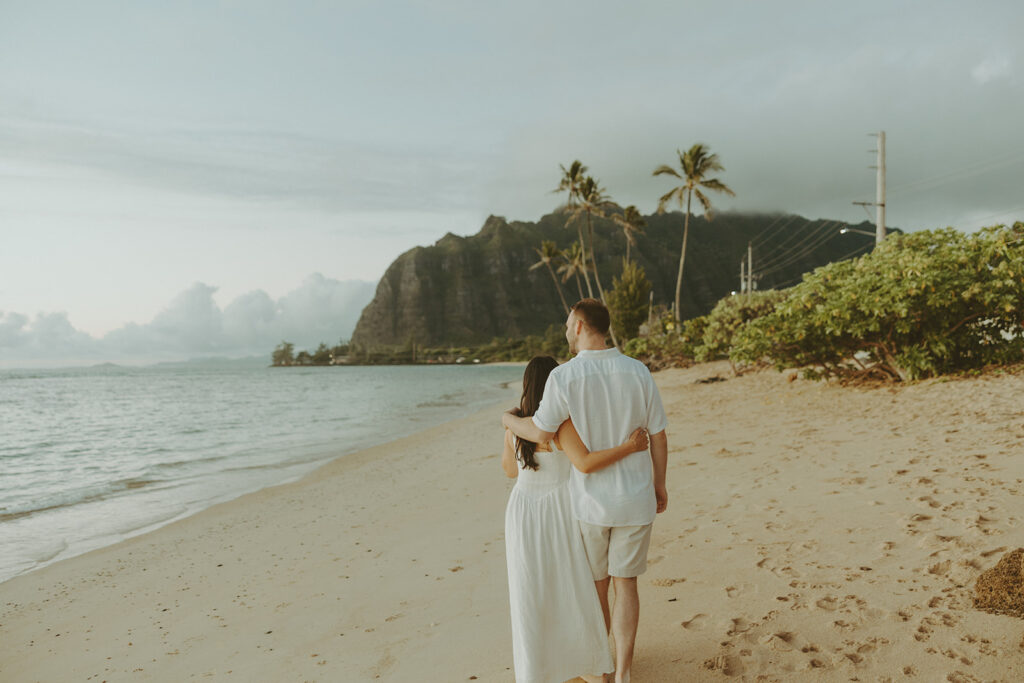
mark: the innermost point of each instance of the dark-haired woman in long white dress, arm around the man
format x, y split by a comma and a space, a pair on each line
559, 630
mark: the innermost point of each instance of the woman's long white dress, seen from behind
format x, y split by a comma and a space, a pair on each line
558, 626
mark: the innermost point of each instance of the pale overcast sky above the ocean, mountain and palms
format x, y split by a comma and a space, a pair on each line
165, 165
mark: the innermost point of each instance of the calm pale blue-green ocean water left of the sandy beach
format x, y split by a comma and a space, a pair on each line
90, 457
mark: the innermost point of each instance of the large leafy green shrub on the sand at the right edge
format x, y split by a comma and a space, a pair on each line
921, 305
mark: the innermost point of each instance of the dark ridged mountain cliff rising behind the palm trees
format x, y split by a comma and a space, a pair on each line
470, 290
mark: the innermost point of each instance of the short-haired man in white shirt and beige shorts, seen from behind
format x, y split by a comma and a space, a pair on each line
608, 396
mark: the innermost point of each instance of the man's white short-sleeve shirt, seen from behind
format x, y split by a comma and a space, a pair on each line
608, 396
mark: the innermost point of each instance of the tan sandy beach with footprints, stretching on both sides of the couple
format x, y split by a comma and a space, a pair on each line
814, 534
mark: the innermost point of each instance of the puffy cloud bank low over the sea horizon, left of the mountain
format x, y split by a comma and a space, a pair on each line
322, 310
